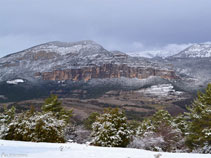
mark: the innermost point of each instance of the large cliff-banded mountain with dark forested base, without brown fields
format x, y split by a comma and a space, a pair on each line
62, 66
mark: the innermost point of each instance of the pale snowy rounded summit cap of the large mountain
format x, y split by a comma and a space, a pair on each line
58, 48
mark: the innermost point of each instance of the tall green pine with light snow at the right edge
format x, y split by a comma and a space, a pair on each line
199, 135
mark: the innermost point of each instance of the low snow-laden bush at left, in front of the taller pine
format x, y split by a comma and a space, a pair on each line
36, 127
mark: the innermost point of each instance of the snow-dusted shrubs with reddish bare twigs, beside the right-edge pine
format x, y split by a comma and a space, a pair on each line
158, 134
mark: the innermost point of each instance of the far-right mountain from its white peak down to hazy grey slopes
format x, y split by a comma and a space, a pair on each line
194, 64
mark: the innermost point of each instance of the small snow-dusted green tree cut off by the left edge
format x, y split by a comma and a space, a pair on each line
5, 119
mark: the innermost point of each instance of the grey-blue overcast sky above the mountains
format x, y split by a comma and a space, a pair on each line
126, 25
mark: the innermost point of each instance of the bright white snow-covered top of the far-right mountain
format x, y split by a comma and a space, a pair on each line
195, 51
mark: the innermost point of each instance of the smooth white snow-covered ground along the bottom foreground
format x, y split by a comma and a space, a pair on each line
14, 149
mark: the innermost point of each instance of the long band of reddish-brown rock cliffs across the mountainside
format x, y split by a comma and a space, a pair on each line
106, 71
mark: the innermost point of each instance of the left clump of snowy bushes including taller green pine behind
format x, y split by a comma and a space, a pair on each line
46, 126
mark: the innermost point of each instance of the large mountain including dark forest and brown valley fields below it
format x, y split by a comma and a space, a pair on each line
88, 78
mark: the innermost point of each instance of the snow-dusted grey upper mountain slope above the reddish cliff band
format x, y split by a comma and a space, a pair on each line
60, 56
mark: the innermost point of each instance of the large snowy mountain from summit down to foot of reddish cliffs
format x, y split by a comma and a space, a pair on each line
75, 61
